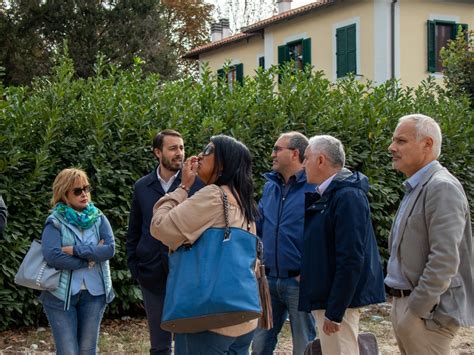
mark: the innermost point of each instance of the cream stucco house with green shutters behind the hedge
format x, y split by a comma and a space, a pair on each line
374, 39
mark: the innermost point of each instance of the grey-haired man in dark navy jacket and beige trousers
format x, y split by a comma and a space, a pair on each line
340, 268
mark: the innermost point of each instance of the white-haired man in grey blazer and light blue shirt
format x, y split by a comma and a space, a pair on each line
430, 270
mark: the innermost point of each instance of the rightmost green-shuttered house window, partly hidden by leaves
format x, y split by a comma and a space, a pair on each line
439, 33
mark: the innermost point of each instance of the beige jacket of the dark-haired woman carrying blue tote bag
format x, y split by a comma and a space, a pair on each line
179, 220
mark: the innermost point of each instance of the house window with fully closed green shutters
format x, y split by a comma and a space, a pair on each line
346, 50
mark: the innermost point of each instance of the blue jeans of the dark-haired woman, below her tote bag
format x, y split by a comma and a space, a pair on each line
210, 343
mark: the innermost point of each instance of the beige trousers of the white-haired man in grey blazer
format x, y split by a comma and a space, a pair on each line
412, 334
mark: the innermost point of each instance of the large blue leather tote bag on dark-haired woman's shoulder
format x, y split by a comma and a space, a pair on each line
212, 284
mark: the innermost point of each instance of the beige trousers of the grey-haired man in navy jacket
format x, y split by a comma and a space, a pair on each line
344, 342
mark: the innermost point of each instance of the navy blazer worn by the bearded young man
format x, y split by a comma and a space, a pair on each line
147, 257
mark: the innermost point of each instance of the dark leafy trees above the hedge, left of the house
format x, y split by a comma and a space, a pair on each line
32, 31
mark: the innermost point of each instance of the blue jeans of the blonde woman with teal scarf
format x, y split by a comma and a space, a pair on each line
76, 331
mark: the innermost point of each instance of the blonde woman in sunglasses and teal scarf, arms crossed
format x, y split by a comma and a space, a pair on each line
78, 240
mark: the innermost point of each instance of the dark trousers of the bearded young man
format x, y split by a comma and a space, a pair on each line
160, 340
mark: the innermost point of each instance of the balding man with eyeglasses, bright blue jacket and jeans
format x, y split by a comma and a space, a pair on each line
281, 228
